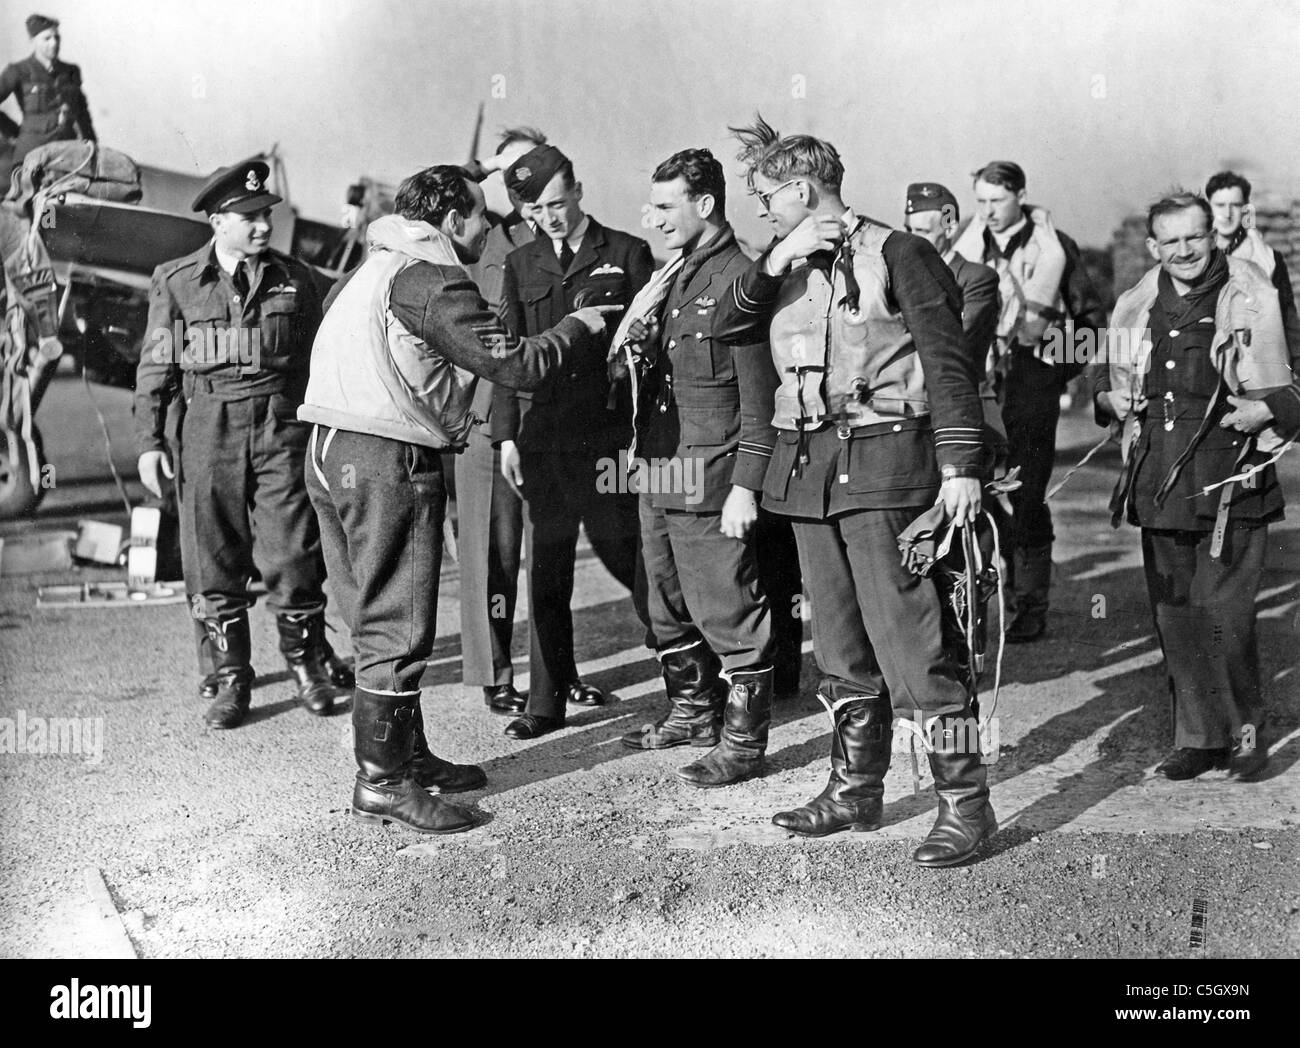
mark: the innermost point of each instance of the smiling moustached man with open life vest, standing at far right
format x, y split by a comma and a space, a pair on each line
1197, 362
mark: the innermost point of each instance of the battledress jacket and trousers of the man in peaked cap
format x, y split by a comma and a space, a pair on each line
241, 363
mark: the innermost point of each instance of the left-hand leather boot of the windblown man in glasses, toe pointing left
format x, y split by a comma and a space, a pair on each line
861, 738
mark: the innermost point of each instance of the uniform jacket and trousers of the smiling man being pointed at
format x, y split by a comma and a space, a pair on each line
704, 427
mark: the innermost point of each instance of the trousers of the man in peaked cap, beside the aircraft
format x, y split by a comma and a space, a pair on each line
245, 505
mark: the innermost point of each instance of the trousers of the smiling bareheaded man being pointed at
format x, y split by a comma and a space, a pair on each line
704, 583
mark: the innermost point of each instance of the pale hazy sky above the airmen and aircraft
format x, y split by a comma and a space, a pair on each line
1104, 103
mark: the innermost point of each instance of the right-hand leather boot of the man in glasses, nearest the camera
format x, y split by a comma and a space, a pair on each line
961, 781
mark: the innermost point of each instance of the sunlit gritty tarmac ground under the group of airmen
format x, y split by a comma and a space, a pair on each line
180, 842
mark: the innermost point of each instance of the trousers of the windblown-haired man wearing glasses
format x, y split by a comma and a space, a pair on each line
877, 627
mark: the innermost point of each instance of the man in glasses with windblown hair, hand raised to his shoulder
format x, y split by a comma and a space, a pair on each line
878, 418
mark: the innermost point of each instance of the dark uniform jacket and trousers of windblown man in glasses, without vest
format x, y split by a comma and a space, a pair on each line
877, 629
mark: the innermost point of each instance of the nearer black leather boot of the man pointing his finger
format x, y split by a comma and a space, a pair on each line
383, 734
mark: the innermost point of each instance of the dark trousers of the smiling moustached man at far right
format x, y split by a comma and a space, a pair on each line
1204, 610
